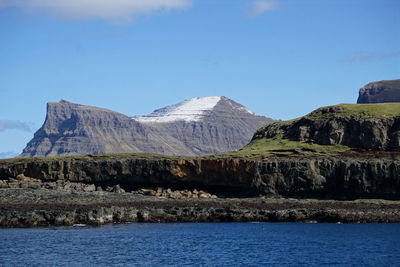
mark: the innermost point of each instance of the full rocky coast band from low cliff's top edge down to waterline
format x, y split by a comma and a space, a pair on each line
118, 189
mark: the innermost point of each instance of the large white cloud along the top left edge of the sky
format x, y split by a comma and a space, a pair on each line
110, 10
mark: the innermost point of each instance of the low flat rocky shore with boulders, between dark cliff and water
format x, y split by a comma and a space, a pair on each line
46, 205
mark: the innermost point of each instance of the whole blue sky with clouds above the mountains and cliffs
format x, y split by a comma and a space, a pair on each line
280, 58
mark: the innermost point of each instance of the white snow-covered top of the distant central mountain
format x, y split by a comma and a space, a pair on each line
193, 109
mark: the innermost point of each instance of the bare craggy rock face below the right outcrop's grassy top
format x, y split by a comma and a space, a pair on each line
377, 134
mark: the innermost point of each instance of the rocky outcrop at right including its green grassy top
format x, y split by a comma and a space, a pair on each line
341, 125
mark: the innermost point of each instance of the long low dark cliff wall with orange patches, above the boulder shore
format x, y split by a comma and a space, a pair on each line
344, 177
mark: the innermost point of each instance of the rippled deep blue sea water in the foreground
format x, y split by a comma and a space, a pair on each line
204, 244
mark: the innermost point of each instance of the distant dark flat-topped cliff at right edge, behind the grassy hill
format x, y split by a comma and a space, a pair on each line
380, 92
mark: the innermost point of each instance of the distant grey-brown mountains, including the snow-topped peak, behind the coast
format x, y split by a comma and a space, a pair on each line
193, 127
